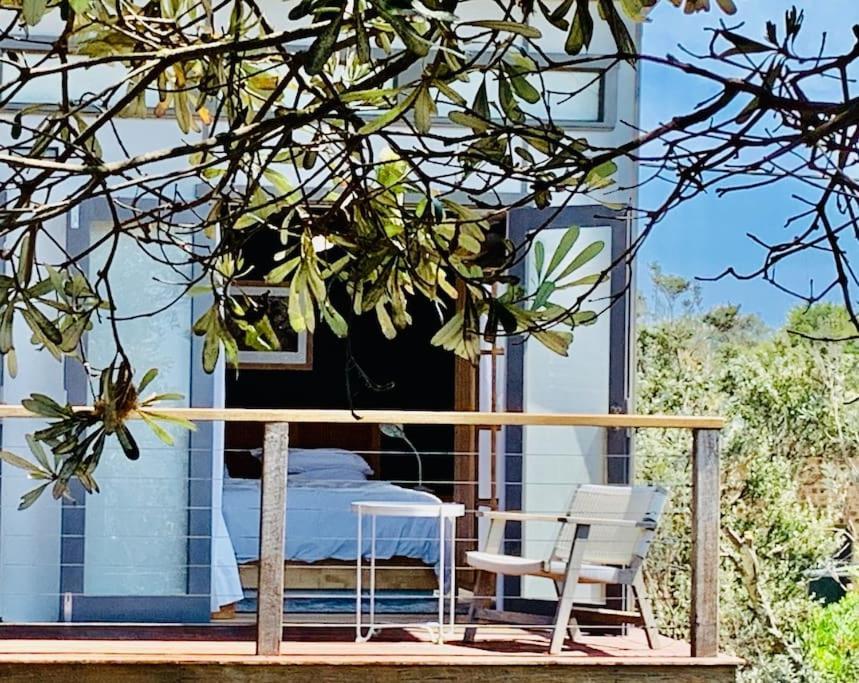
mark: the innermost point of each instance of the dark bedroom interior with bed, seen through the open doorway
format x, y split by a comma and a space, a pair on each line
365, 372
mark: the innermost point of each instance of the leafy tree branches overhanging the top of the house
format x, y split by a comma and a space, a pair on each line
376, 139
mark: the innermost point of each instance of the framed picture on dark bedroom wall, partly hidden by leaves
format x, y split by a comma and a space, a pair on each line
296, 348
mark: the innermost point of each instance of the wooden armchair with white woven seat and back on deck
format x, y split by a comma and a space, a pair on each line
603, 539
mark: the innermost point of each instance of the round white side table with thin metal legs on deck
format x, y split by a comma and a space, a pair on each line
446, 513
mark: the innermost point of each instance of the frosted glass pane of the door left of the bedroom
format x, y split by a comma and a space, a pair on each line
137, 527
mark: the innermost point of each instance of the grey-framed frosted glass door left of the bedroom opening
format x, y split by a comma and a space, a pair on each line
140, 549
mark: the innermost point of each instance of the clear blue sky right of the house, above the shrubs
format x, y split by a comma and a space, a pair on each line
705, 236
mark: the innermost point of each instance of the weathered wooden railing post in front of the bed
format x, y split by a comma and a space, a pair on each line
272, 527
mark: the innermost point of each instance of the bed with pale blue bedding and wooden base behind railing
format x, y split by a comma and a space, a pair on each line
321, 545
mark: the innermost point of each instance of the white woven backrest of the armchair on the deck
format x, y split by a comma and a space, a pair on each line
607, 544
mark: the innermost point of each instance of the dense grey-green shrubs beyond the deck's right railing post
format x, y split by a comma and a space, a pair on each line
791, 420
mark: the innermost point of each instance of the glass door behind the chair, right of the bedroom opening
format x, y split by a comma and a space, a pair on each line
543, 464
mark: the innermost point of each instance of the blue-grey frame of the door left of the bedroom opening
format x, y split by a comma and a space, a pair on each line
195, 606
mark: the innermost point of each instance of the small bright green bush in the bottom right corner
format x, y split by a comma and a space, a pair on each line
830, 639
